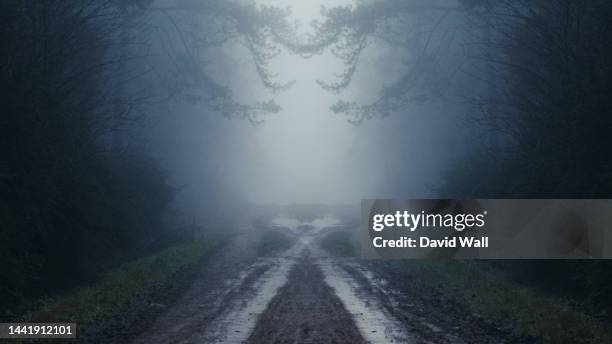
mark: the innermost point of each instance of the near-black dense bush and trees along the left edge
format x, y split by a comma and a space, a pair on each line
69, 206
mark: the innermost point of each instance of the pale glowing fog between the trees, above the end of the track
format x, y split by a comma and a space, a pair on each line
306, 153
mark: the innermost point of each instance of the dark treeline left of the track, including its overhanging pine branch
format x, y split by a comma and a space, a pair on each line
78, 194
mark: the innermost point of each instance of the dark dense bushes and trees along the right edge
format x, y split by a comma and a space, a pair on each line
552, 72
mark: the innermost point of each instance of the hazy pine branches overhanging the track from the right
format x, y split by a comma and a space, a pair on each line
423, 31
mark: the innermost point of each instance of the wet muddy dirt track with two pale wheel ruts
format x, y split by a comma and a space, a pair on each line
301, 295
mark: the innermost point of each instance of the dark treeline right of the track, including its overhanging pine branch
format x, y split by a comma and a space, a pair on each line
532, 79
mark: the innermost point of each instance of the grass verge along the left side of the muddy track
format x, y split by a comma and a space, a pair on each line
126, 293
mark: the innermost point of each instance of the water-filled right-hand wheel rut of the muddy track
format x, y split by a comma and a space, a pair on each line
373, 322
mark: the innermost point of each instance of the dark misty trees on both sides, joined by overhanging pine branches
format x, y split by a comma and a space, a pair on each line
77, 195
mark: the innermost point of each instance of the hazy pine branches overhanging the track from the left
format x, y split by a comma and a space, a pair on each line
199, 26
